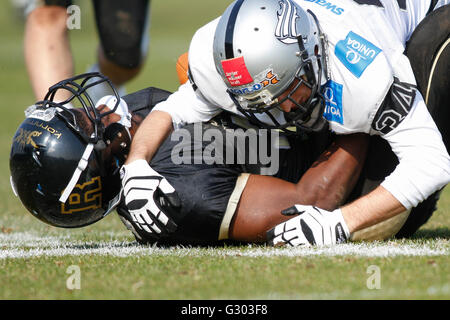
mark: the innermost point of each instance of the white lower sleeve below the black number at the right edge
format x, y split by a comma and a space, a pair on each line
424, 164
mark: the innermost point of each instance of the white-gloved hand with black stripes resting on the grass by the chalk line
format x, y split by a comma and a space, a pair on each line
313, 226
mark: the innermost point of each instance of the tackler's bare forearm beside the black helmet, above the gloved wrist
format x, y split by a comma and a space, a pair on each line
150, 135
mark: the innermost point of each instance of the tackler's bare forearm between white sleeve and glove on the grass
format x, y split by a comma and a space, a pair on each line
376, 206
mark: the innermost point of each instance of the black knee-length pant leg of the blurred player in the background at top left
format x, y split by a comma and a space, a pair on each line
121, 26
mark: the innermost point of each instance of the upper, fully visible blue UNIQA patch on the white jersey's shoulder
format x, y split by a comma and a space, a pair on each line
356, 53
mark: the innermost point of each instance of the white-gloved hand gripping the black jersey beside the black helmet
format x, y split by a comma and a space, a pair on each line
148, 196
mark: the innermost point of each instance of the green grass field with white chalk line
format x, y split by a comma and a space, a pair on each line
34, 257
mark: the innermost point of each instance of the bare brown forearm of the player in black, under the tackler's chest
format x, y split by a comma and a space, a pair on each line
333, 176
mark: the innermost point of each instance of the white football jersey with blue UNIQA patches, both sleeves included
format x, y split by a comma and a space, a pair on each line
366, 41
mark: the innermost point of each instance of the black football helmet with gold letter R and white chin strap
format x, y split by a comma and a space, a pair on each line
64, 163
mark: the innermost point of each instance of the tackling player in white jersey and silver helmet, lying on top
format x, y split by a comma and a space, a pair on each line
299, 64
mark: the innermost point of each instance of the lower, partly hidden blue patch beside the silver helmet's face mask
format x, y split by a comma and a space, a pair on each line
333, 102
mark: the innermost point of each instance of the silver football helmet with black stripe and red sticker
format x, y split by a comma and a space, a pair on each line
261, 47
